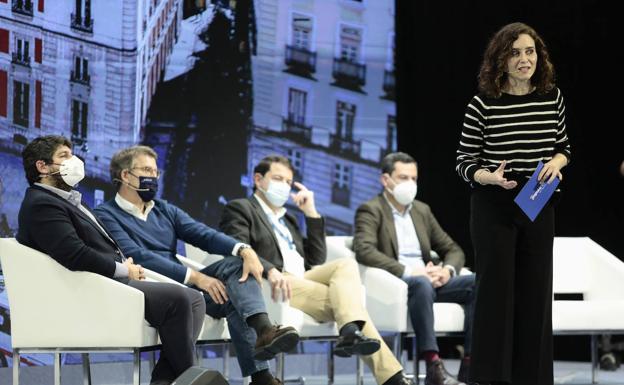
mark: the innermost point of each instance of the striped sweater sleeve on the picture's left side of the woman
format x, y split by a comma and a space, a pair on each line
471, 141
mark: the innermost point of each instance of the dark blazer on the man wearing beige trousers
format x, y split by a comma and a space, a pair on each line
244, 219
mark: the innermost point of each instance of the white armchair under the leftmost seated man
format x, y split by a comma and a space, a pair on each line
55, 310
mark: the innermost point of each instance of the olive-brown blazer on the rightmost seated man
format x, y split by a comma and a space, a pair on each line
375, 241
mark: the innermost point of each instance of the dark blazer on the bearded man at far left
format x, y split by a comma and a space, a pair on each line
54, 226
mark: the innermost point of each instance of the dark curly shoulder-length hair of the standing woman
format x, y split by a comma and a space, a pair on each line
492, 75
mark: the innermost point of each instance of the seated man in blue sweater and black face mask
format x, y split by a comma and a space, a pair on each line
148, 229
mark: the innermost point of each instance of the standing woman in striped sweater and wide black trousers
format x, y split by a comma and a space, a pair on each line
515, 121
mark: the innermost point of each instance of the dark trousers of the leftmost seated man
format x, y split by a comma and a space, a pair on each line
177, 313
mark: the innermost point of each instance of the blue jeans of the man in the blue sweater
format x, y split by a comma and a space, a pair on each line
245, 300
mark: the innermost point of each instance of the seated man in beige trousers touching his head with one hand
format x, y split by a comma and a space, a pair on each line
329, 291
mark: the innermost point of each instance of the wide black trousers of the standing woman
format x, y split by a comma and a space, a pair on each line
512, 329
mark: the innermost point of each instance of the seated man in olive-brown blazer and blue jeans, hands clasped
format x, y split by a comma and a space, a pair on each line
396, 233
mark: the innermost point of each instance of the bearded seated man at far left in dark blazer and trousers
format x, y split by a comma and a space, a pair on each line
53, 220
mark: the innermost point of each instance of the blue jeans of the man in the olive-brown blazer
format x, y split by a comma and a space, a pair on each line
420, 299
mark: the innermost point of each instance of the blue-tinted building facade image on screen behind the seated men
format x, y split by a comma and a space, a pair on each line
212, 86
